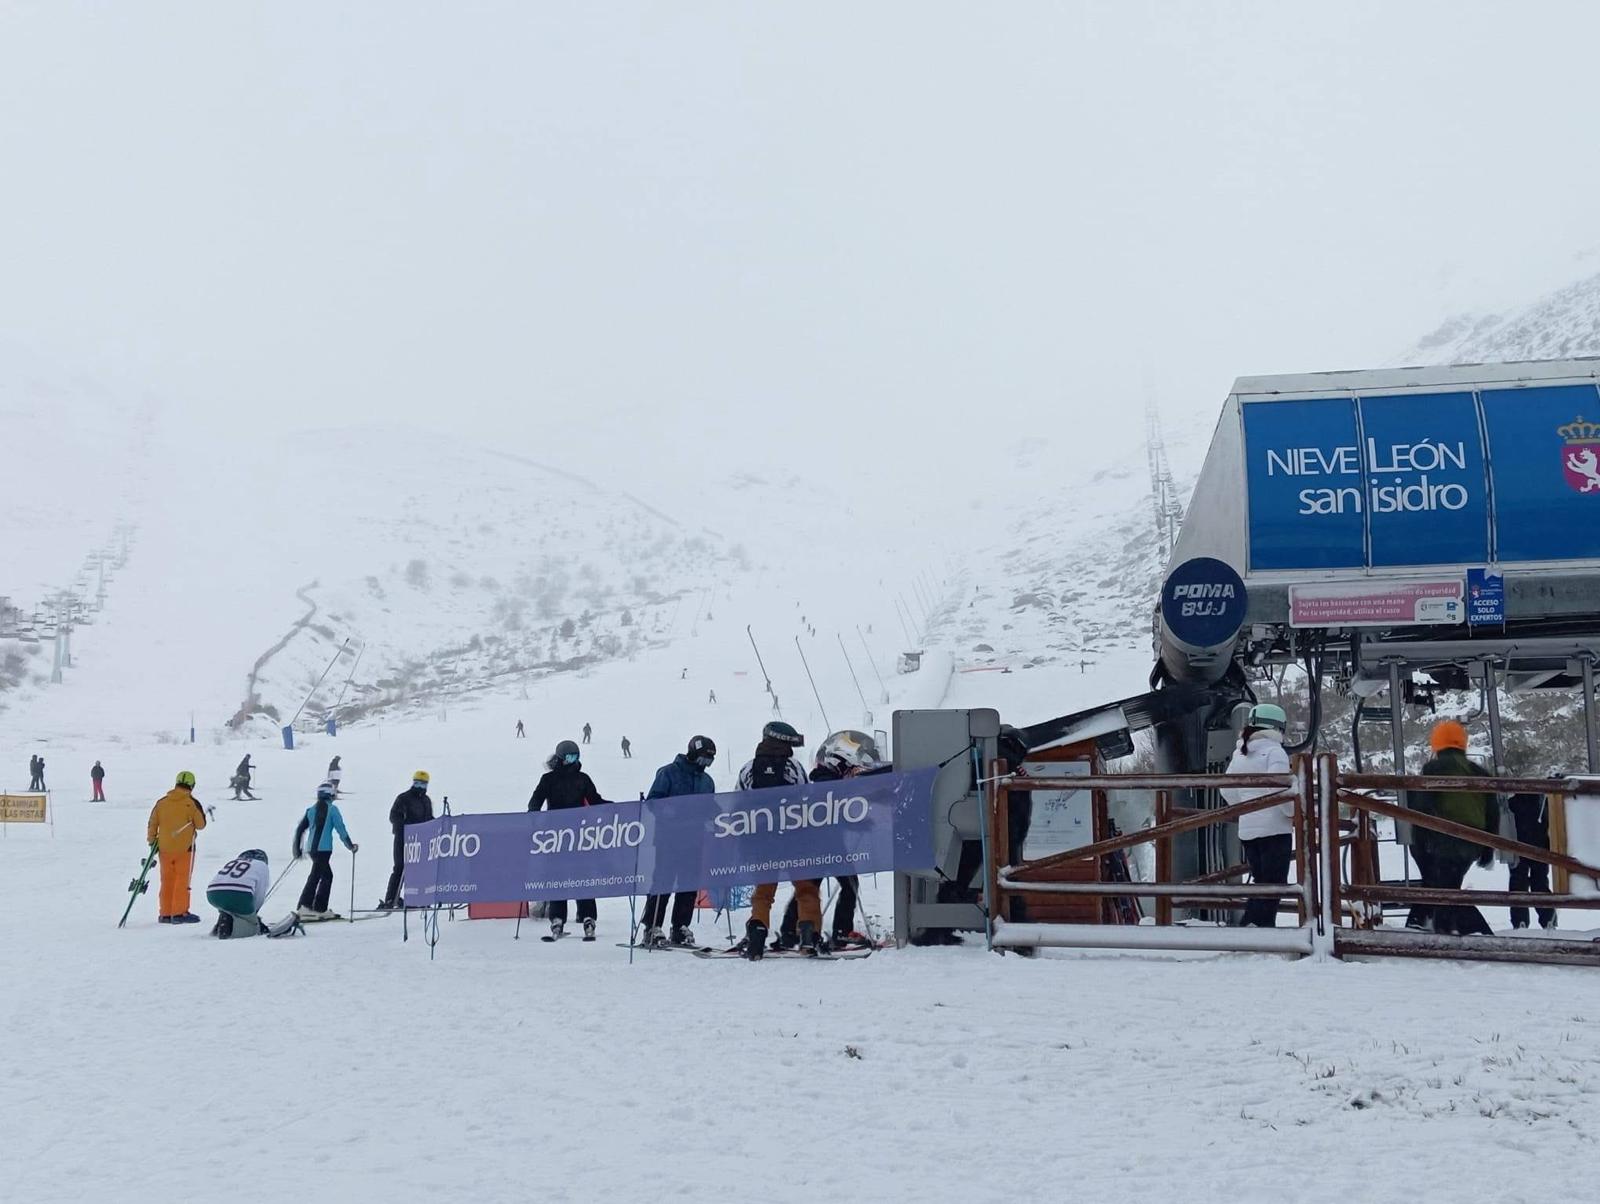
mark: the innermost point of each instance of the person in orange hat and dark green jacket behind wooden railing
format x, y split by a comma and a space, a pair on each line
1446, 861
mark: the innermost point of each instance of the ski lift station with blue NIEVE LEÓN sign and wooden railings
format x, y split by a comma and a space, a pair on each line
1393, 534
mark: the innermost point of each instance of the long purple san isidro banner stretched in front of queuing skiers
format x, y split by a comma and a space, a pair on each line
854, 827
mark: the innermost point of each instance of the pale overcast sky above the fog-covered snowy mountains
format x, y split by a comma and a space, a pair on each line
682, 236
